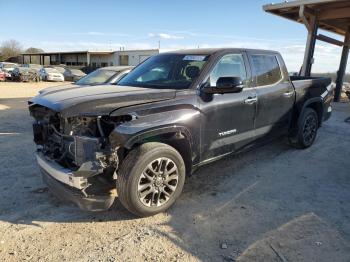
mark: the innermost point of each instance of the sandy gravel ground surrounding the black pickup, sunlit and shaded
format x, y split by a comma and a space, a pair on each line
274, 203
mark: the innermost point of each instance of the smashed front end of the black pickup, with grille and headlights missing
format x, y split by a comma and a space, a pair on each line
75, 156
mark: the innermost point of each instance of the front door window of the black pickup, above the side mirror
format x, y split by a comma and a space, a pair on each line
231, 65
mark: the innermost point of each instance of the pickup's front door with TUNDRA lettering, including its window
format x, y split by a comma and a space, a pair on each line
227, 122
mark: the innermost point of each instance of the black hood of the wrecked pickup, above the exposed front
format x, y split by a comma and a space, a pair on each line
98, 100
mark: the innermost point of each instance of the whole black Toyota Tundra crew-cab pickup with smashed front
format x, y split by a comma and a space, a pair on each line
138, 139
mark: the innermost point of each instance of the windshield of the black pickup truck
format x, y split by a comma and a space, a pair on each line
166, 71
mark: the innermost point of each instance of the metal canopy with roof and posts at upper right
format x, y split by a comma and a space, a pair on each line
329, 15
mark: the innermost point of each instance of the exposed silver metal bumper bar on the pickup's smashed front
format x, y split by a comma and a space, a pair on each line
61, 174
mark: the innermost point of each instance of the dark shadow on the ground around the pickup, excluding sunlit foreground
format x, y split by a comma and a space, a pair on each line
259, 205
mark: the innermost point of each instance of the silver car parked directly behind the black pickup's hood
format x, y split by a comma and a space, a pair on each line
104, 75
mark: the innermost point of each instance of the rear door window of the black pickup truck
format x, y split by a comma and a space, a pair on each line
266, 69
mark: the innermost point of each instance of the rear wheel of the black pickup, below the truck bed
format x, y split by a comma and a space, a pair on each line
306, 132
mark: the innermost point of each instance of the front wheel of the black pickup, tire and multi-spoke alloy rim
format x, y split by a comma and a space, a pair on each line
142, 190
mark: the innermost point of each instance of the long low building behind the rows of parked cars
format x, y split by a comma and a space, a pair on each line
93, 59
